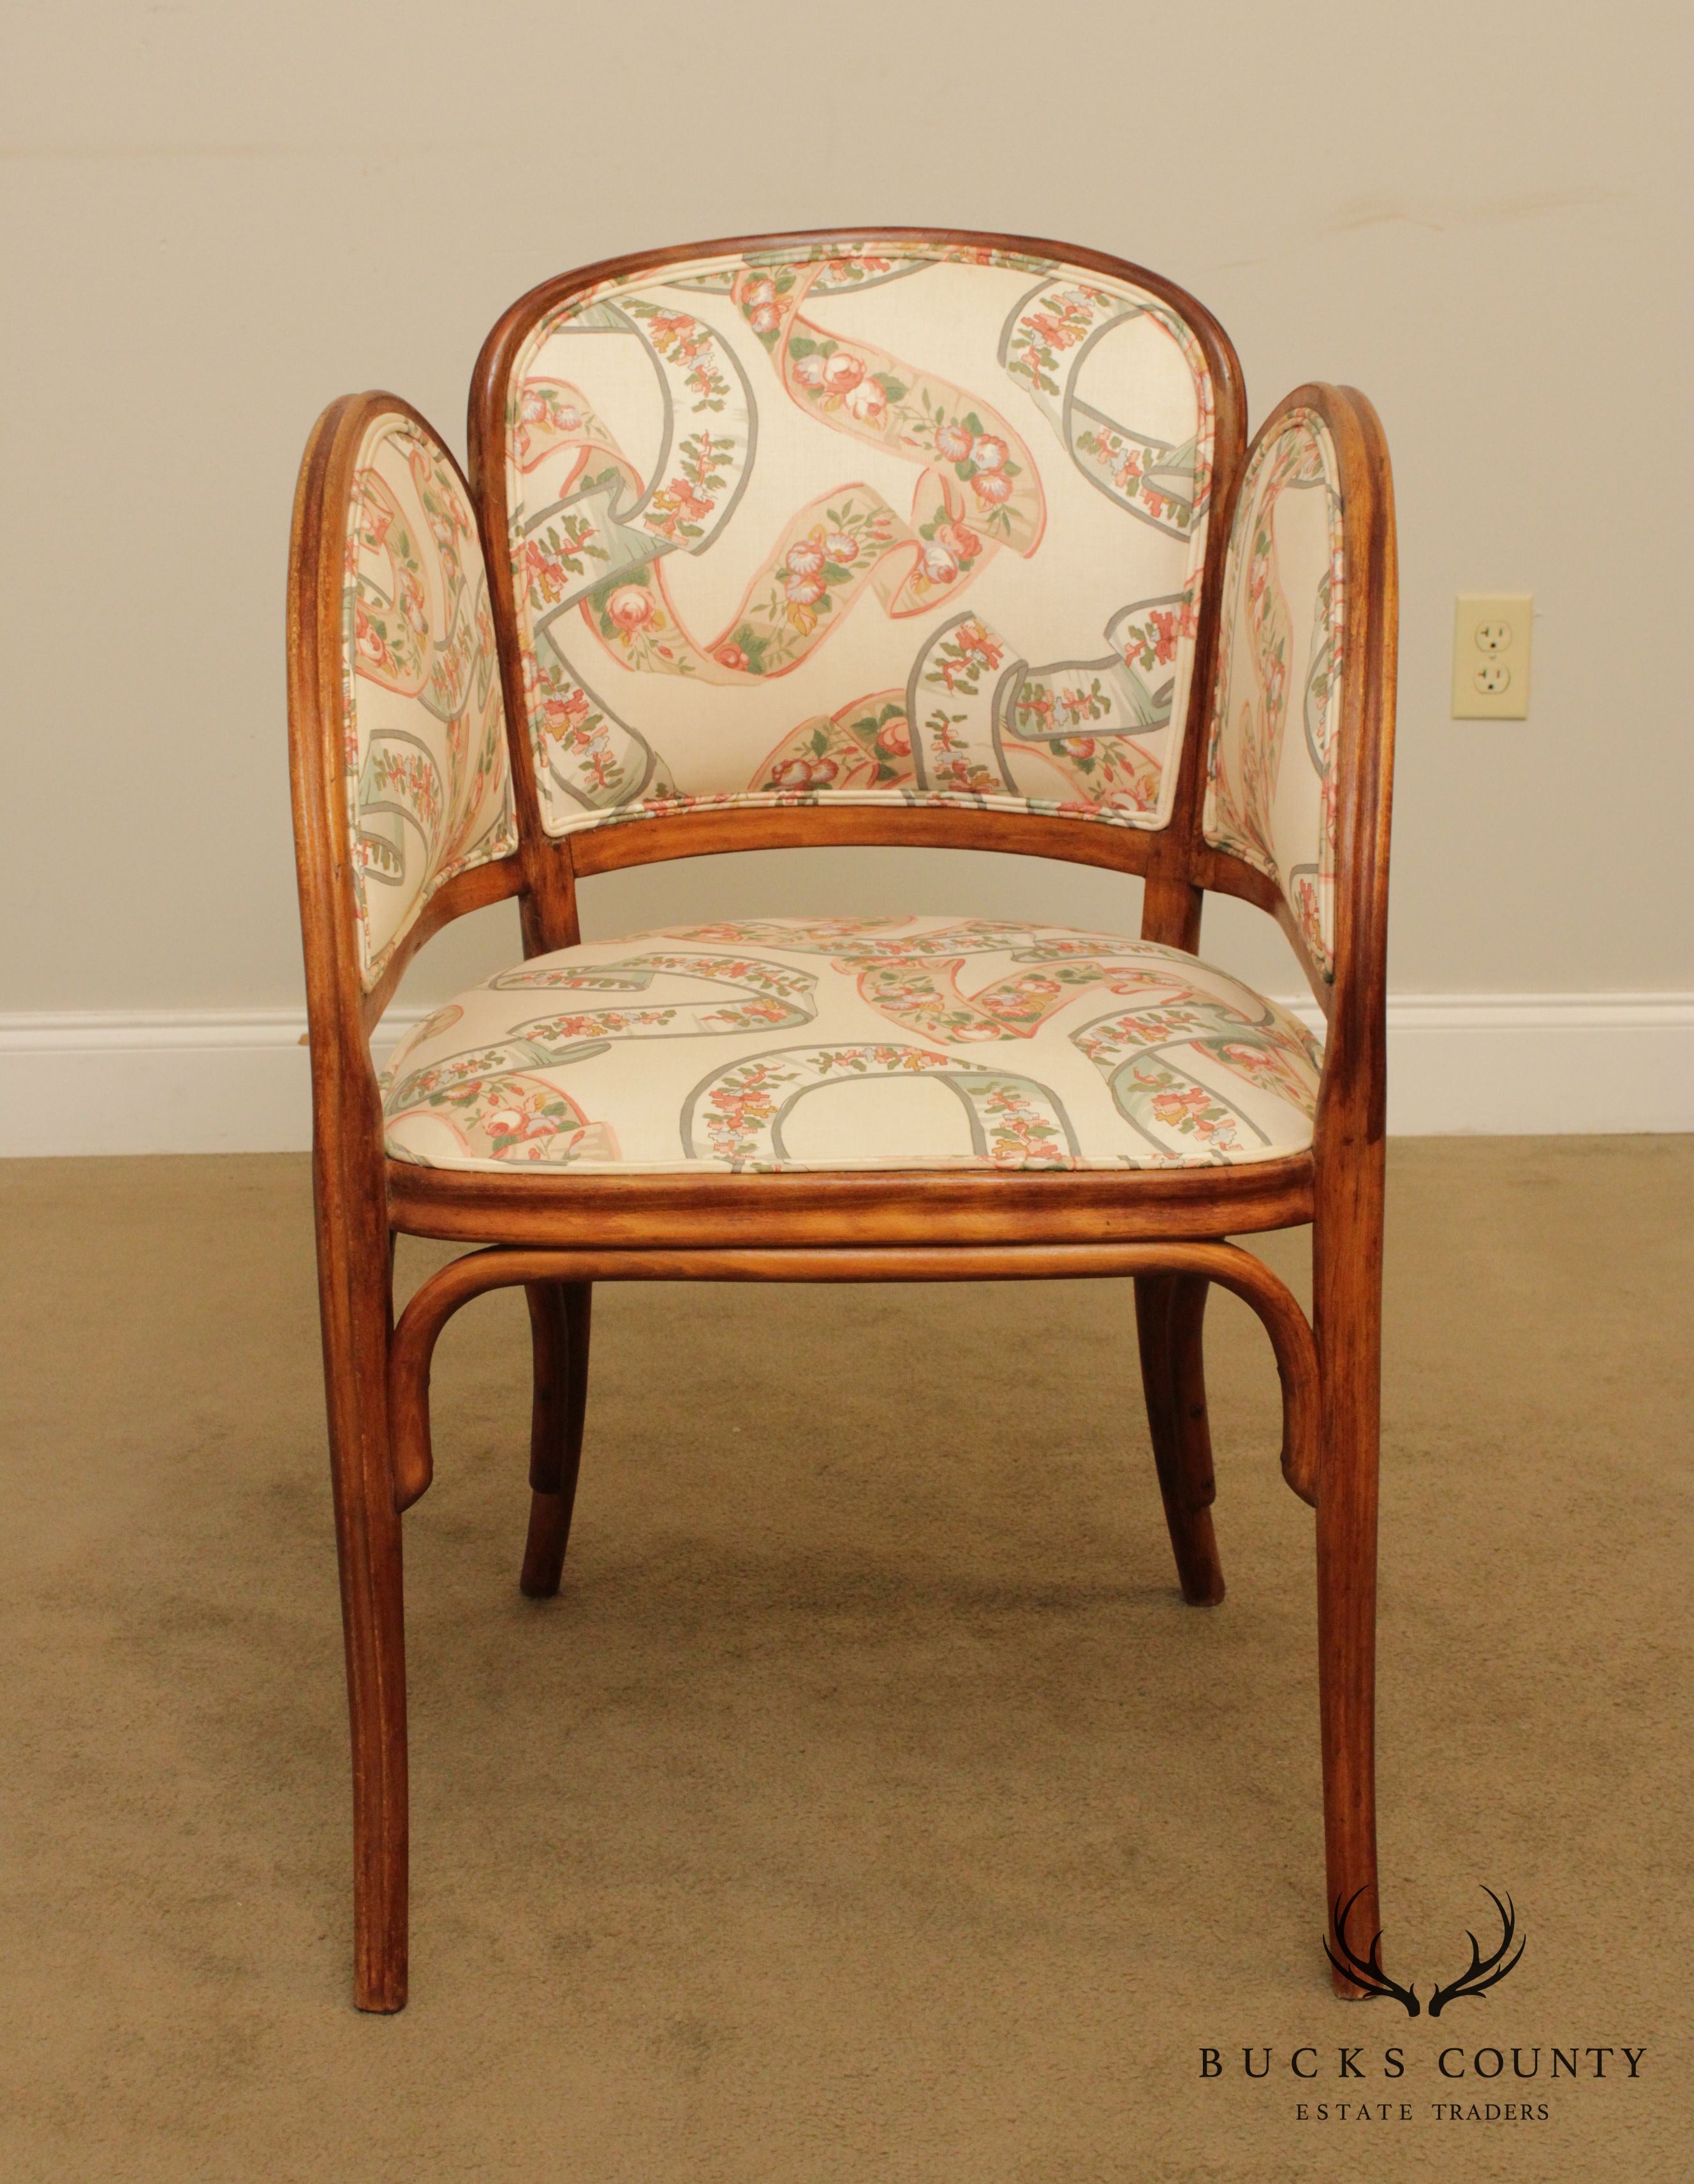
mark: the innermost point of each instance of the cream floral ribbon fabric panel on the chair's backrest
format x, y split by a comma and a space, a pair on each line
867, 521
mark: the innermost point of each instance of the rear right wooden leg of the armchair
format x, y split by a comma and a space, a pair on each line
1168, 1318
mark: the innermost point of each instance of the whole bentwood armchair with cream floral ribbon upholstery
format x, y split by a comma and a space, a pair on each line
847, 538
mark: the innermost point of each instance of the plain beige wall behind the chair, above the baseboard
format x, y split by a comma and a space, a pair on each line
222, 215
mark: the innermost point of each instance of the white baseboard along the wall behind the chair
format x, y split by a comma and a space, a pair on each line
237, 1080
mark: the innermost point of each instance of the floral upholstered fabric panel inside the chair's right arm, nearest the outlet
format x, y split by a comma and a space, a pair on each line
1271, 757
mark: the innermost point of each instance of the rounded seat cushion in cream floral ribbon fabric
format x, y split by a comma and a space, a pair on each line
854, 1043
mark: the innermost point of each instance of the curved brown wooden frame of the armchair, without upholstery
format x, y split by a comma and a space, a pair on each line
558, 1235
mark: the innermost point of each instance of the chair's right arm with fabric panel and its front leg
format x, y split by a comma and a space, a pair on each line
1297, 809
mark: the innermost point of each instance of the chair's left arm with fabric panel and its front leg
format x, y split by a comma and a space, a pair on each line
384, 573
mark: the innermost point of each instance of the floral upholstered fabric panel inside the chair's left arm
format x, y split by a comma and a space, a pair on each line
430, 787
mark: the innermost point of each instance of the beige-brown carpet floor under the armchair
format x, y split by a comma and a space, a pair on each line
869, 1807
